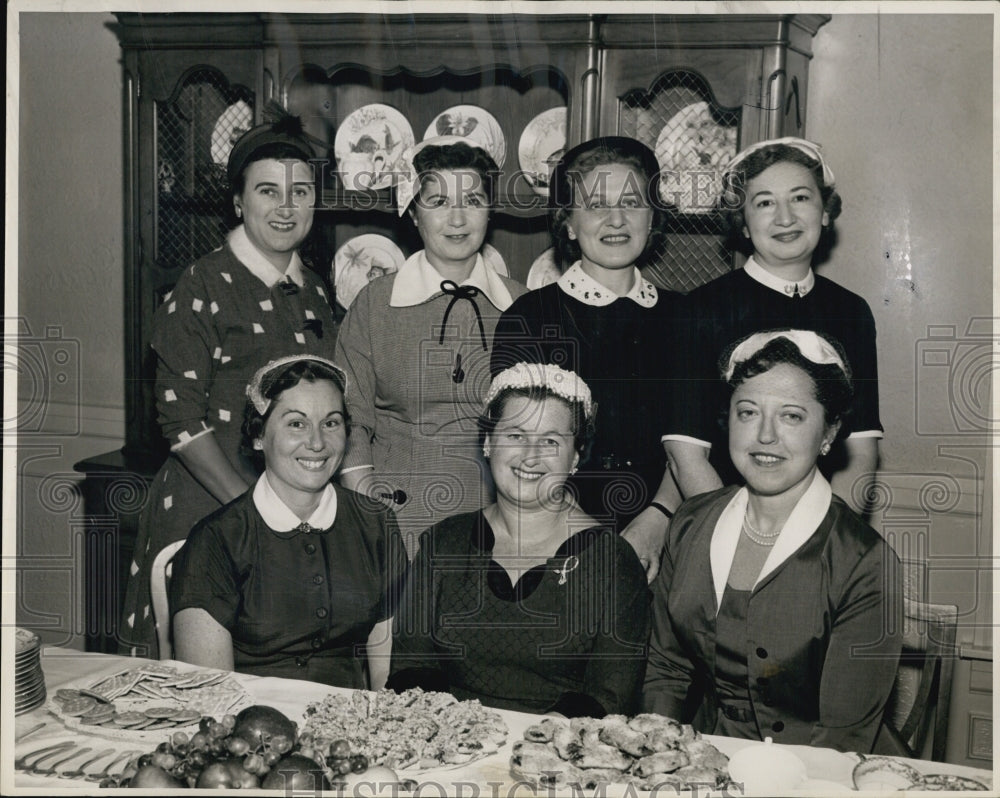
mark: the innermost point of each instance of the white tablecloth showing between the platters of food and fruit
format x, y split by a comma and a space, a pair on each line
487, 778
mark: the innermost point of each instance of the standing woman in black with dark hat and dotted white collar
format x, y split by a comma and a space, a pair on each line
611, 326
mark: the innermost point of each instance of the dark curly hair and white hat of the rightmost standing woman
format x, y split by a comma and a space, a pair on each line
734, 192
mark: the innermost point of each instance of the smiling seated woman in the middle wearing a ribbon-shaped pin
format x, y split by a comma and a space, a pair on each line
527, 604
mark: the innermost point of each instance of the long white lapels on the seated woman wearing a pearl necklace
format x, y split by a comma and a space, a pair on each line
804, 520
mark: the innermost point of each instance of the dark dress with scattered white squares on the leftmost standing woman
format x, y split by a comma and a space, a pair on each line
216, 328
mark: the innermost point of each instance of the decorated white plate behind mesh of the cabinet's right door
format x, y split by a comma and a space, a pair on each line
697, 149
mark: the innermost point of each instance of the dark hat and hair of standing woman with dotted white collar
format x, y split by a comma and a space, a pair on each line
582, 160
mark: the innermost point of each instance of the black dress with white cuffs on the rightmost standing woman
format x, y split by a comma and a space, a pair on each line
735, 305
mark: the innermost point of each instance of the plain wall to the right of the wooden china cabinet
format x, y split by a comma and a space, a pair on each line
903, 106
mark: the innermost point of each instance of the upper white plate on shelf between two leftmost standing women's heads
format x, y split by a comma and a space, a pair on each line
369, 146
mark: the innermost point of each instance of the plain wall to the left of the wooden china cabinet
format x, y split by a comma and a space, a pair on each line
70, 279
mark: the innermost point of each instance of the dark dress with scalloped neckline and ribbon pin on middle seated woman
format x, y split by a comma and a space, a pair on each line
569, 637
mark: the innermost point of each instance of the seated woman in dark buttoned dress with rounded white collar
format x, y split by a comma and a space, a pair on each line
296, 578
